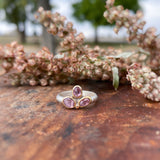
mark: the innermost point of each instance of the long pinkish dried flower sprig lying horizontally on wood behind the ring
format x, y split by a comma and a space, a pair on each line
44, 69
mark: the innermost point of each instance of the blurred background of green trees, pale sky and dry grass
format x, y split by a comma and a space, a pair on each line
18, 23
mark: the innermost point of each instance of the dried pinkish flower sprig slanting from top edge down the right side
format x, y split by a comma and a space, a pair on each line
147, 40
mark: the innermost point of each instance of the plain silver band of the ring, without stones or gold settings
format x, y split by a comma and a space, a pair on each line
64, 94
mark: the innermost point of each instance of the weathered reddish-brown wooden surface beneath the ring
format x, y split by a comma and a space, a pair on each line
121, 126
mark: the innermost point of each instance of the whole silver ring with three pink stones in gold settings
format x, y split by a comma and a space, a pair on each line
77, 98
